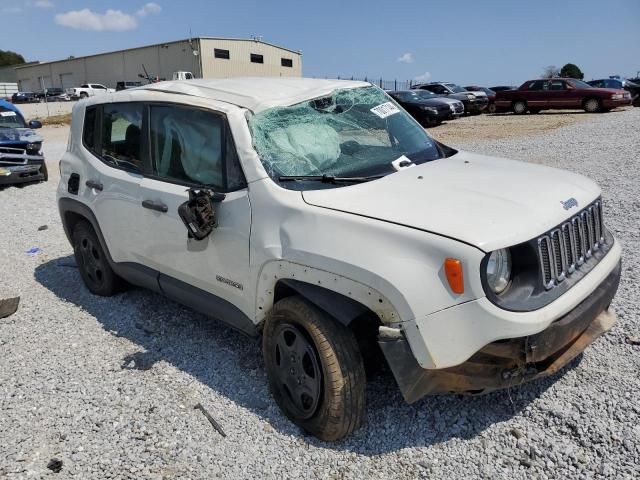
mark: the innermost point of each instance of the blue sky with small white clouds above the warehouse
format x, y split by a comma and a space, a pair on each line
487, 43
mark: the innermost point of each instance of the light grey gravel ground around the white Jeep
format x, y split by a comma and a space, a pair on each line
108, 385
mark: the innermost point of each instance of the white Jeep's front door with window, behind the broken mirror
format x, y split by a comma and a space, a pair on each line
192, 147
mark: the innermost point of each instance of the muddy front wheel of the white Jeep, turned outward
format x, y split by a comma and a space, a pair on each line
301, 343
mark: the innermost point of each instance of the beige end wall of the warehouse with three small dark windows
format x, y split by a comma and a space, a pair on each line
239, 63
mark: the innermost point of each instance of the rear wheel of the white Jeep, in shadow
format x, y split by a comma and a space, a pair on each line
92, 262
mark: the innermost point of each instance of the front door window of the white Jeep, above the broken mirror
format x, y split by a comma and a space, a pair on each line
191, 146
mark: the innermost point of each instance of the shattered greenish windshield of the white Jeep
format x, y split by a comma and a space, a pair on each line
351, 132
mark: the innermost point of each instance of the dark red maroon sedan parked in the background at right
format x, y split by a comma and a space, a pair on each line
560, 93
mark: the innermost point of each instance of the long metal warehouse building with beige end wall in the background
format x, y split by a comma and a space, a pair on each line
205, 57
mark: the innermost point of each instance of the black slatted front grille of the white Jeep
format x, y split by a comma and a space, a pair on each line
567, 247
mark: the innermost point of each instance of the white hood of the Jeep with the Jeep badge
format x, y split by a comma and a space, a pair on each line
487, 202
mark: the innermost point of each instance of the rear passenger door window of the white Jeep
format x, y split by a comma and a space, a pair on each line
121, 132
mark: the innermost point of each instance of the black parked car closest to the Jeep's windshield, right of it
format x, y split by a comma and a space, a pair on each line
427, 108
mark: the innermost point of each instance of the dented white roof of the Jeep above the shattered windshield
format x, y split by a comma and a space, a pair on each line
256, 93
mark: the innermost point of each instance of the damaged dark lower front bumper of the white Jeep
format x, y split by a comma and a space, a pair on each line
507, 363
